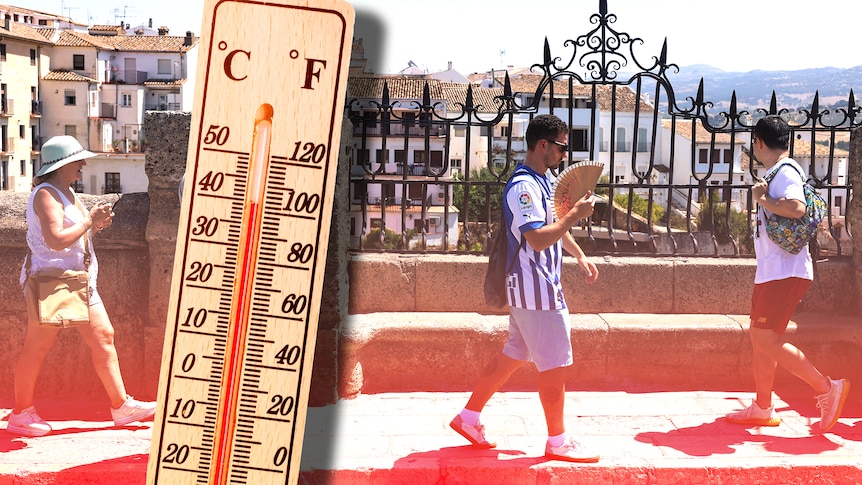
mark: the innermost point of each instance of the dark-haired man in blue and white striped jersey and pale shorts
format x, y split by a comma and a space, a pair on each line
539, 328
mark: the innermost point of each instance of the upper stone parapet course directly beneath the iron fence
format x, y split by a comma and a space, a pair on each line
437, 283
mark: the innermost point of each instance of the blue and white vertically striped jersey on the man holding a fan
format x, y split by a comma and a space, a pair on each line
533, 283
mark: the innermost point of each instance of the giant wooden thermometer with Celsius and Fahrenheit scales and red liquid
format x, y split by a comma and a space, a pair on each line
252, 240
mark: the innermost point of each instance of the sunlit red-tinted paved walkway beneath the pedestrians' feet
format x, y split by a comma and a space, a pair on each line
644, 438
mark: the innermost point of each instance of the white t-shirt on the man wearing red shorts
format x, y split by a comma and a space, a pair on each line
774, 263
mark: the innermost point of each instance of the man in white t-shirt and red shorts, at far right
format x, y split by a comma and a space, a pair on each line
780, 281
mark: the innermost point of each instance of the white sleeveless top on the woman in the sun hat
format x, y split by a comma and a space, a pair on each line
41, 256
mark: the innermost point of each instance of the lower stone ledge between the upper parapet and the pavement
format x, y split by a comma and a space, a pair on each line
418, 352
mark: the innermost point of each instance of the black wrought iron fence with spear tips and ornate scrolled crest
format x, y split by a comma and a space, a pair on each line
678, 173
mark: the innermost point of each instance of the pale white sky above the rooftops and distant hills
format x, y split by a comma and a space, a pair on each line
480, 35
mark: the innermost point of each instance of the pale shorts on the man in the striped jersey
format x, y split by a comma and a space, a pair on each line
543, 337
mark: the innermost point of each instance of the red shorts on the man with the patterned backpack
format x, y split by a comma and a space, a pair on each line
773, 303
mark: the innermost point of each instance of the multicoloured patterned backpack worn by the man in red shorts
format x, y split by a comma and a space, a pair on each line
794, 234
